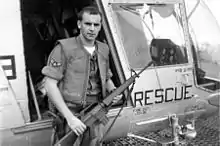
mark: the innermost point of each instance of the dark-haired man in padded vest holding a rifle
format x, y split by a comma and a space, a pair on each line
78, 74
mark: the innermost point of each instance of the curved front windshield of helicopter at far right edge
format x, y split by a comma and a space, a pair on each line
204, 33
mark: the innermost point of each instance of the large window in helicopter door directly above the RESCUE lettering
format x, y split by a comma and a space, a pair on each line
151, 32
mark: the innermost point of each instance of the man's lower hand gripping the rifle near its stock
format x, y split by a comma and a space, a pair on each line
76, 125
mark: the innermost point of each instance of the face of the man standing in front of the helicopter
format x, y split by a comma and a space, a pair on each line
90, 26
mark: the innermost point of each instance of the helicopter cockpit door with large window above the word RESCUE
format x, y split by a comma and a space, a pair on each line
146, 31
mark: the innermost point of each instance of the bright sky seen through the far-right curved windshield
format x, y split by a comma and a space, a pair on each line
203, 24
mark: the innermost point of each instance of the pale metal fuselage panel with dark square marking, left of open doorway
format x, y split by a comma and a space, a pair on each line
12, 48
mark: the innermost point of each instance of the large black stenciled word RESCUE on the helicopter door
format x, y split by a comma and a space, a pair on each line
158, 96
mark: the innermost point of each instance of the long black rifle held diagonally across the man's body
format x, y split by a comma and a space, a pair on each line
97, 111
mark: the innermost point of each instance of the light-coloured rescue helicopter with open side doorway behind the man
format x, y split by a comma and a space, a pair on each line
181, 85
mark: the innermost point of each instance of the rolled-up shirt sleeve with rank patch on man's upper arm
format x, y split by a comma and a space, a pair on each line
55, 64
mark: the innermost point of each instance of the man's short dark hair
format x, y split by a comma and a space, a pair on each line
92, 10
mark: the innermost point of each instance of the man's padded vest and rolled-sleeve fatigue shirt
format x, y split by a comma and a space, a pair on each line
71, 71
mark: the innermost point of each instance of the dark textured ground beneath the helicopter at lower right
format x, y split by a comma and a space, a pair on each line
208, 134
